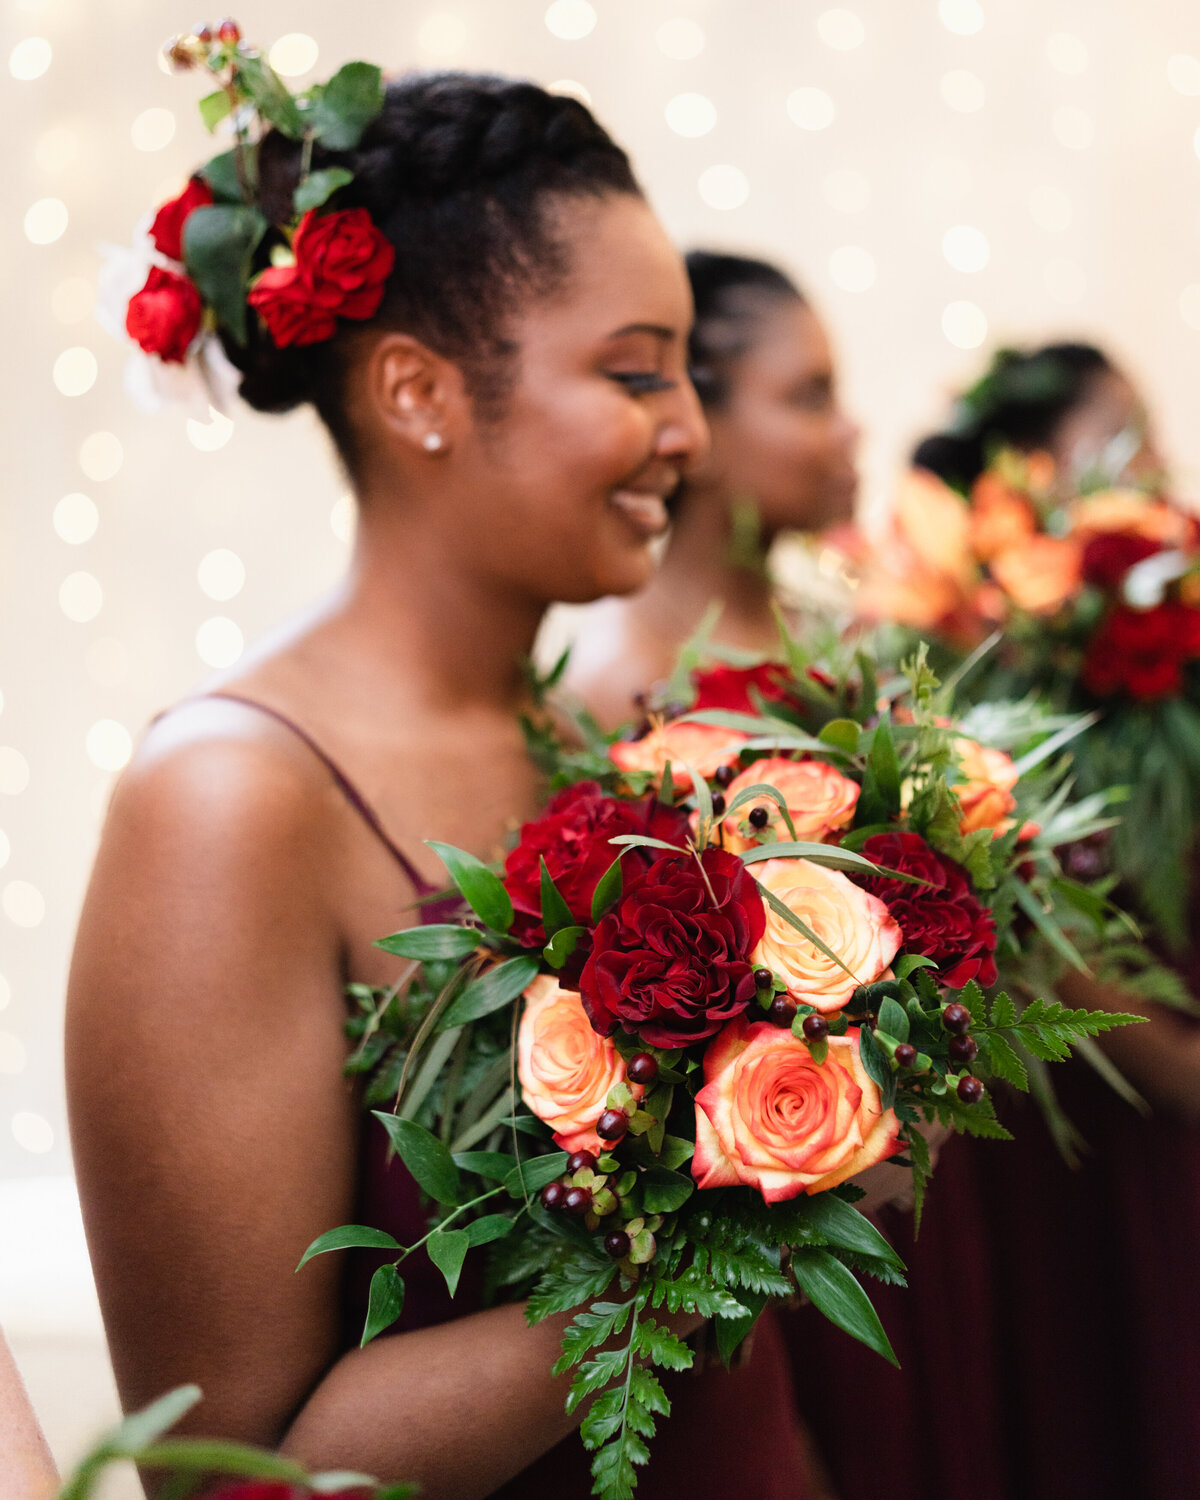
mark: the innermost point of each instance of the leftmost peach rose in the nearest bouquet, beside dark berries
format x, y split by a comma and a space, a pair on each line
566, 1069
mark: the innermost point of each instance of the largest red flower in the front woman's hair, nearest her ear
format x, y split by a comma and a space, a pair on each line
343, 263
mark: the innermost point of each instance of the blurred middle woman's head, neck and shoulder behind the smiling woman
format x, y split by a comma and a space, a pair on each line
782, 458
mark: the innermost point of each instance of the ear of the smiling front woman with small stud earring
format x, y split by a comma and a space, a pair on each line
416, 397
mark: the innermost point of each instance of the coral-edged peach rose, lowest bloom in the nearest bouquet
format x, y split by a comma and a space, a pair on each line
775, 1120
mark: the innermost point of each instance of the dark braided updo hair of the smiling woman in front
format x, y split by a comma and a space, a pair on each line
458, 172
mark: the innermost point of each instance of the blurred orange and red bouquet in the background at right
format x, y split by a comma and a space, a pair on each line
1099, 599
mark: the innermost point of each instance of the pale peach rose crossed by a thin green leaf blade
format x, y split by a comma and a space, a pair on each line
856, 926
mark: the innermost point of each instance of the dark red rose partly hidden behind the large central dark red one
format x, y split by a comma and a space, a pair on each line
572, 836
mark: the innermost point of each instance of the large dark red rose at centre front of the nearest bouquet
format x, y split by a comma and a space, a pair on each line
670, 962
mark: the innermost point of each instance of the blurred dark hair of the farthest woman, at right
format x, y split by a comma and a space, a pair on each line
1021, 403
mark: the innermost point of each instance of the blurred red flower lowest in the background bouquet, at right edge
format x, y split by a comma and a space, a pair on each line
1142, 652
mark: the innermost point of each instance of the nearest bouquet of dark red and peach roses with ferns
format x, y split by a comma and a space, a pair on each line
740, 962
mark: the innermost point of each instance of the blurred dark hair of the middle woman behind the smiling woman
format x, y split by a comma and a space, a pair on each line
731, 296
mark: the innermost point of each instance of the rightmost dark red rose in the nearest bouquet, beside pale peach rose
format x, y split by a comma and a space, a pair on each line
941, 920
